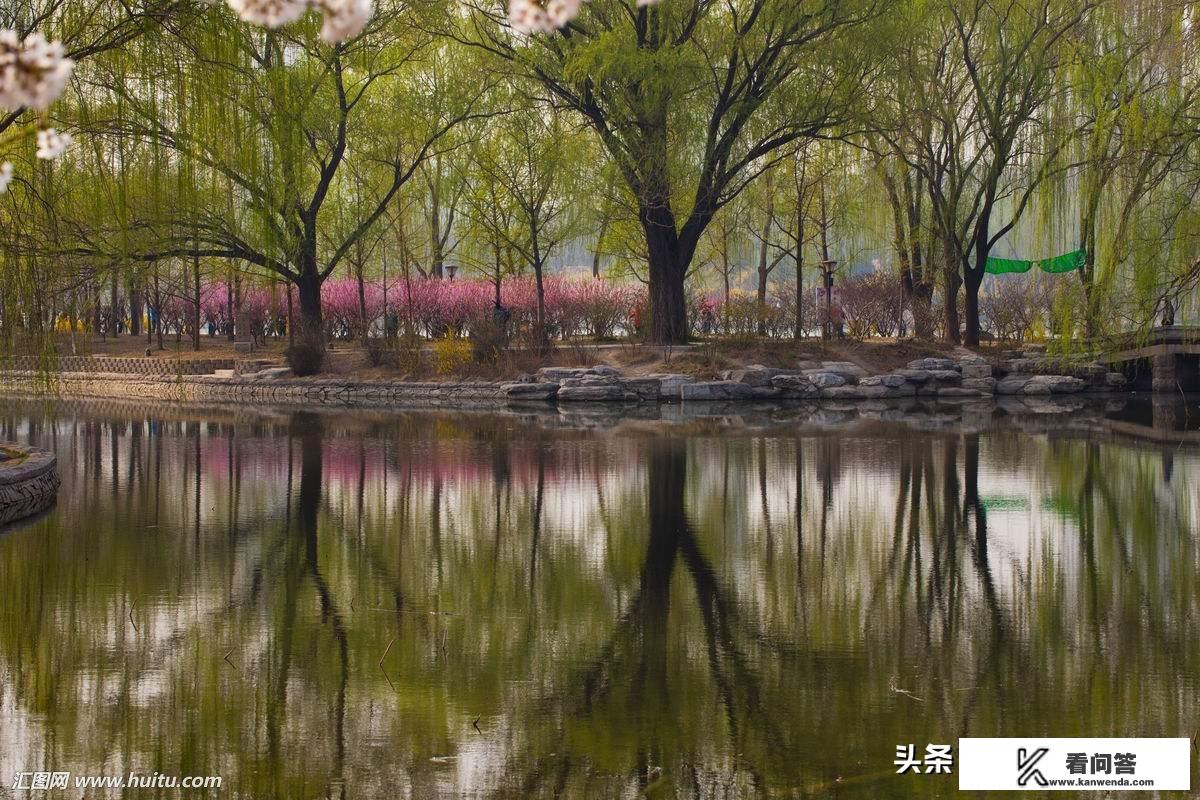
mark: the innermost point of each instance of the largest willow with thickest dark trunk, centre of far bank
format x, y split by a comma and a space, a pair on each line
692, 100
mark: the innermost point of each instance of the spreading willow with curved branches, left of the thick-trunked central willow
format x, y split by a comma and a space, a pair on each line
311, 143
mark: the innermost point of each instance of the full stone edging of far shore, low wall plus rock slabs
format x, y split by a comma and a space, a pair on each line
969, 377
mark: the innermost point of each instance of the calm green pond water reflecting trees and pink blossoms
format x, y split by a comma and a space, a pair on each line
429, 605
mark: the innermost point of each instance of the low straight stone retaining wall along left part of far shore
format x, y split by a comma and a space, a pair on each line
211, 389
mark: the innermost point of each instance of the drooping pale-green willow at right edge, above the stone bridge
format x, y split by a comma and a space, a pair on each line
1135, 140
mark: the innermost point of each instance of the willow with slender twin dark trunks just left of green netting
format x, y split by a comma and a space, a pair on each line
977, 81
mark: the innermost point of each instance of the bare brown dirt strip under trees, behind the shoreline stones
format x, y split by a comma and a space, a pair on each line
443, 360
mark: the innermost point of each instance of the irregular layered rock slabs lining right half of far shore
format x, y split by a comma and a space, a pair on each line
946, 378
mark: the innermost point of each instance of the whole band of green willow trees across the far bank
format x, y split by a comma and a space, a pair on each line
962, 130
